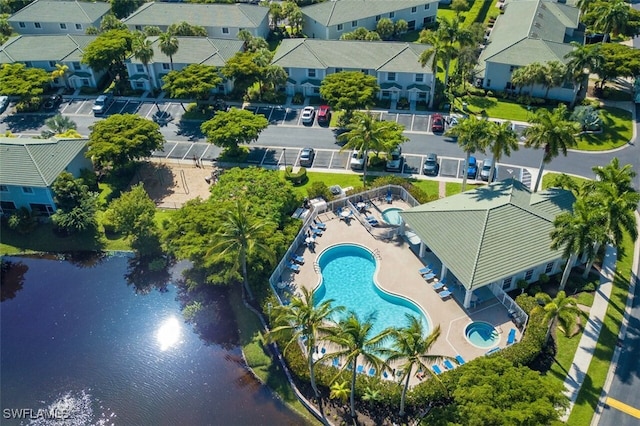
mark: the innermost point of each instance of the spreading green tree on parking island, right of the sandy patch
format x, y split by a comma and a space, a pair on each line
237, 126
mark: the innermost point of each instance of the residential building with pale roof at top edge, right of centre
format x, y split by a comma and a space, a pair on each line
330, 20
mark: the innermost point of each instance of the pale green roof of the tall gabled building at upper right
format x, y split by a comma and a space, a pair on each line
530, 31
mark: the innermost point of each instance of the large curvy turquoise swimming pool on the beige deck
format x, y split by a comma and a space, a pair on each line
348, 278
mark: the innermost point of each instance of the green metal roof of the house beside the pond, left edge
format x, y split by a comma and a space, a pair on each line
36, 162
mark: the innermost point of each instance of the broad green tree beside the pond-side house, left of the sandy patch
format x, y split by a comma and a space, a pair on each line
122, 138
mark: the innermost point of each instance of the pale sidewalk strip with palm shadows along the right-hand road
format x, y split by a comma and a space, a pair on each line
589, 340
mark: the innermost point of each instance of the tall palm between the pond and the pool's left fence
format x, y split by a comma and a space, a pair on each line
240, 236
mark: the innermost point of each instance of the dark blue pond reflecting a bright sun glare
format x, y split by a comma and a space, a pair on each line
78, 337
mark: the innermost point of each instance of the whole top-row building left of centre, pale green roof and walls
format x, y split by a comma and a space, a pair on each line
220, 20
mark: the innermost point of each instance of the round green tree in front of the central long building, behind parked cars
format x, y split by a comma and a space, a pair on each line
349, 90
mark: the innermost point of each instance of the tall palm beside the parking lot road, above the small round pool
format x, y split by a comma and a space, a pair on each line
364, 133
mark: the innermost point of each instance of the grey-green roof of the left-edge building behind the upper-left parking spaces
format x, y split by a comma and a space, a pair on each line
58, 48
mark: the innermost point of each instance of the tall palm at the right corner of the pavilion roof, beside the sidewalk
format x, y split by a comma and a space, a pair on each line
575, 234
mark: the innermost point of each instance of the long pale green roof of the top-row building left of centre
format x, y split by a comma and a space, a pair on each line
204, 15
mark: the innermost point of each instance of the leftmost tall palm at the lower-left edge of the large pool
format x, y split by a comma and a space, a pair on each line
303, 319
